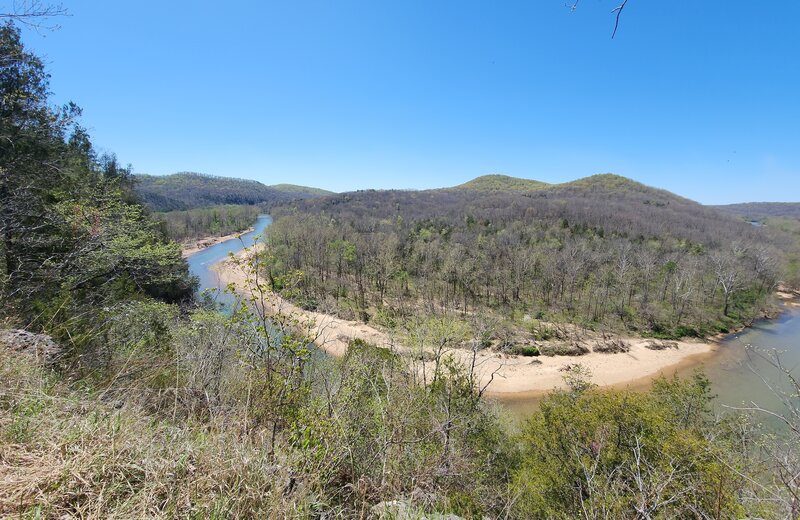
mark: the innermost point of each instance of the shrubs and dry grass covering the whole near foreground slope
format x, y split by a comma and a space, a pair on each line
200, 426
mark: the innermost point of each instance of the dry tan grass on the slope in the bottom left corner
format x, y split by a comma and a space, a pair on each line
63, 454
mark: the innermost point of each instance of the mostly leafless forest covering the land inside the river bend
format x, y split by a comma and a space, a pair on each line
604, 251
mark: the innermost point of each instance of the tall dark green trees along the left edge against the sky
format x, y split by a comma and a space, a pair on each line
74, 243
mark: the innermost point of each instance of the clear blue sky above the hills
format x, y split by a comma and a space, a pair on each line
701, 98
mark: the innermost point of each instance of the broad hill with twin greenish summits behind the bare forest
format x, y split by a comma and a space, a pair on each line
609, 202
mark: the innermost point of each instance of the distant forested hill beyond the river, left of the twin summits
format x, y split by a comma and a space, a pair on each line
187, 190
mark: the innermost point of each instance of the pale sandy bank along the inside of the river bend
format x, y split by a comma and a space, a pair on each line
513, 375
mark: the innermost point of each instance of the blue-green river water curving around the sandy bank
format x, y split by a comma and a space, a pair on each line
737, 375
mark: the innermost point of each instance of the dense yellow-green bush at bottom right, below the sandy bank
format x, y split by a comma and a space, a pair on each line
630, 455
